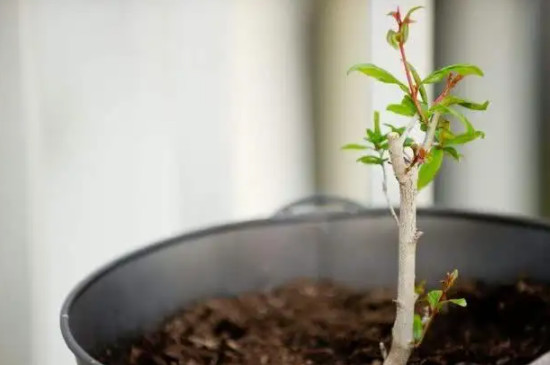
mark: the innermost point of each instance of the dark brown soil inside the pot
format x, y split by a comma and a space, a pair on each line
322, 323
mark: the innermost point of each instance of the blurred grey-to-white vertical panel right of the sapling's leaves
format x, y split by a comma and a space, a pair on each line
501, 172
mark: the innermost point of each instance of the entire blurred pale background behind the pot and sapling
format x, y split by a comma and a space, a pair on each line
126, 122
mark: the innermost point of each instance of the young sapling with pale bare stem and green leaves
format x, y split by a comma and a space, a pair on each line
415, 164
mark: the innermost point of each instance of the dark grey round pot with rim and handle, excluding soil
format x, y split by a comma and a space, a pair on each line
355, 246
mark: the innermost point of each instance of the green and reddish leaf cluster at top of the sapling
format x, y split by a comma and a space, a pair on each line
452, 127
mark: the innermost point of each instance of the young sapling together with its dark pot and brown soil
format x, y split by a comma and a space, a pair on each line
241, 305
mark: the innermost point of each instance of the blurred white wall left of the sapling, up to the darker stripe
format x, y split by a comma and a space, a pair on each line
126, 107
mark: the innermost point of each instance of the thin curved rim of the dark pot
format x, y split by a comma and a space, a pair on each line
79, 352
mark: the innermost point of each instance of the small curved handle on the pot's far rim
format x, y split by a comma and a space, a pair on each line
319, 203
